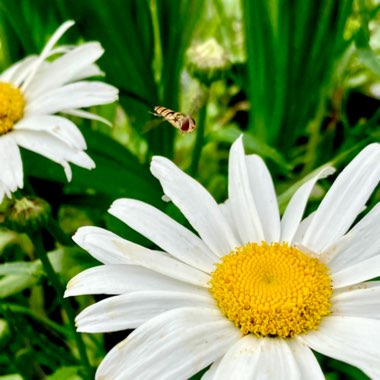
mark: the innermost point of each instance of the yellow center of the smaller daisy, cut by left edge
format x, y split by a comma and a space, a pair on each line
12, 105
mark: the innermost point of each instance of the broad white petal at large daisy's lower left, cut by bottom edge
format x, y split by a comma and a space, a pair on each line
176, 344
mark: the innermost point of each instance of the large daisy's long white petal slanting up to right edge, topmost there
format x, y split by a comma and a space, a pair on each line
345, 199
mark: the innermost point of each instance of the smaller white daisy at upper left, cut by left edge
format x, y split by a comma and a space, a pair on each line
32, 91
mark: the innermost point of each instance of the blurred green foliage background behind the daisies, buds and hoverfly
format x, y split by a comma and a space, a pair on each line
300, 87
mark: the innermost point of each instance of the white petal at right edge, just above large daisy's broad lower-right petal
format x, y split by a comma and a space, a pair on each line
361, 301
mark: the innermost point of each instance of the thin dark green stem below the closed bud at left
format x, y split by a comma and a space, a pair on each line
55, 281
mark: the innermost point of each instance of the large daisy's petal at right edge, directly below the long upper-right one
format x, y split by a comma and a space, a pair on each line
360, 243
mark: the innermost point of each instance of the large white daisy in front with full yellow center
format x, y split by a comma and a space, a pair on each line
251, 294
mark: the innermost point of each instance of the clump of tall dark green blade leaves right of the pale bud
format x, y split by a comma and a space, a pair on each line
292, 54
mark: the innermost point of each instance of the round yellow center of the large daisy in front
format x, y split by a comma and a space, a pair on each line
272, 290
